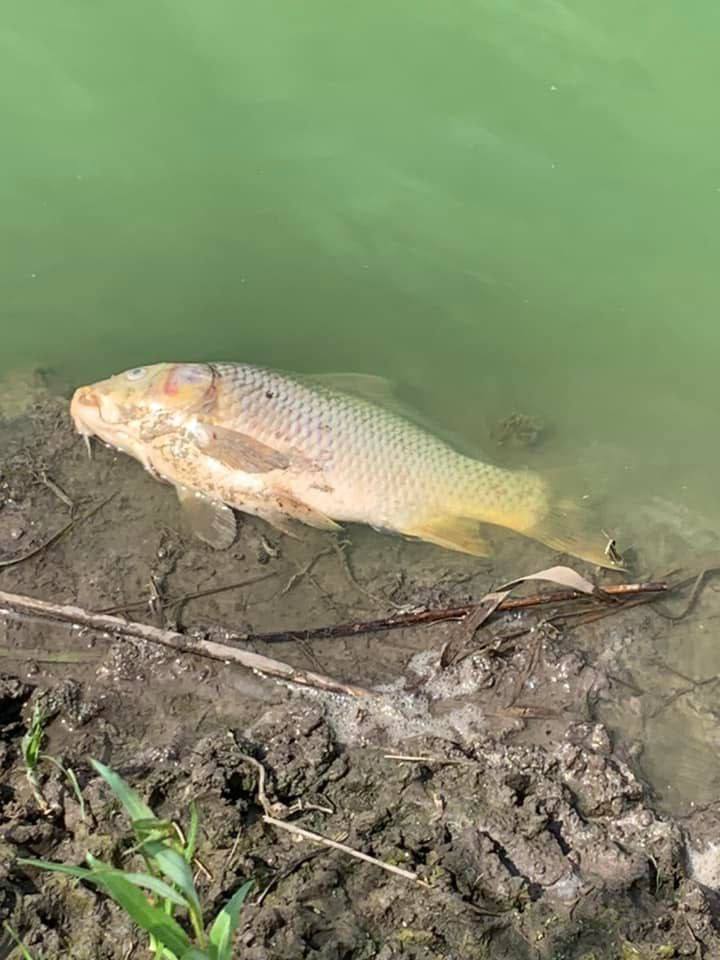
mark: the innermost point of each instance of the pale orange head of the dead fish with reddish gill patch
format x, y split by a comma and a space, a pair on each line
127, 411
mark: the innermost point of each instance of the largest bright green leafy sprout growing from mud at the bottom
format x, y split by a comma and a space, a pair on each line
165, 893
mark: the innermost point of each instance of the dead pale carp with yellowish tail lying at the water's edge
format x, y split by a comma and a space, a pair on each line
319, 450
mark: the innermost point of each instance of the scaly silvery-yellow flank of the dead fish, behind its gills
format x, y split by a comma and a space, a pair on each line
396, 464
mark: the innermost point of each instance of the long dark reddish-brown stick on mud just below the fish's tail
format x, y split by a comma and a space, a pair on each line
438, 615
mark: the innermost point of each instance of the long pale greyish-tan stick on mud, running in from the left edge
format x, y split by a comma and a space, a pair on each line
105, 623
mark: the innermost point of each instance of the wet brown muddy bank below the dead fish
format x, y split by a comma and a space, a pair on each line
525, 810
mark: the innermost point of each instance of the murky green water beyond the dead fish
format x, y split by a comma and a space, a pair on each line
512, 206
